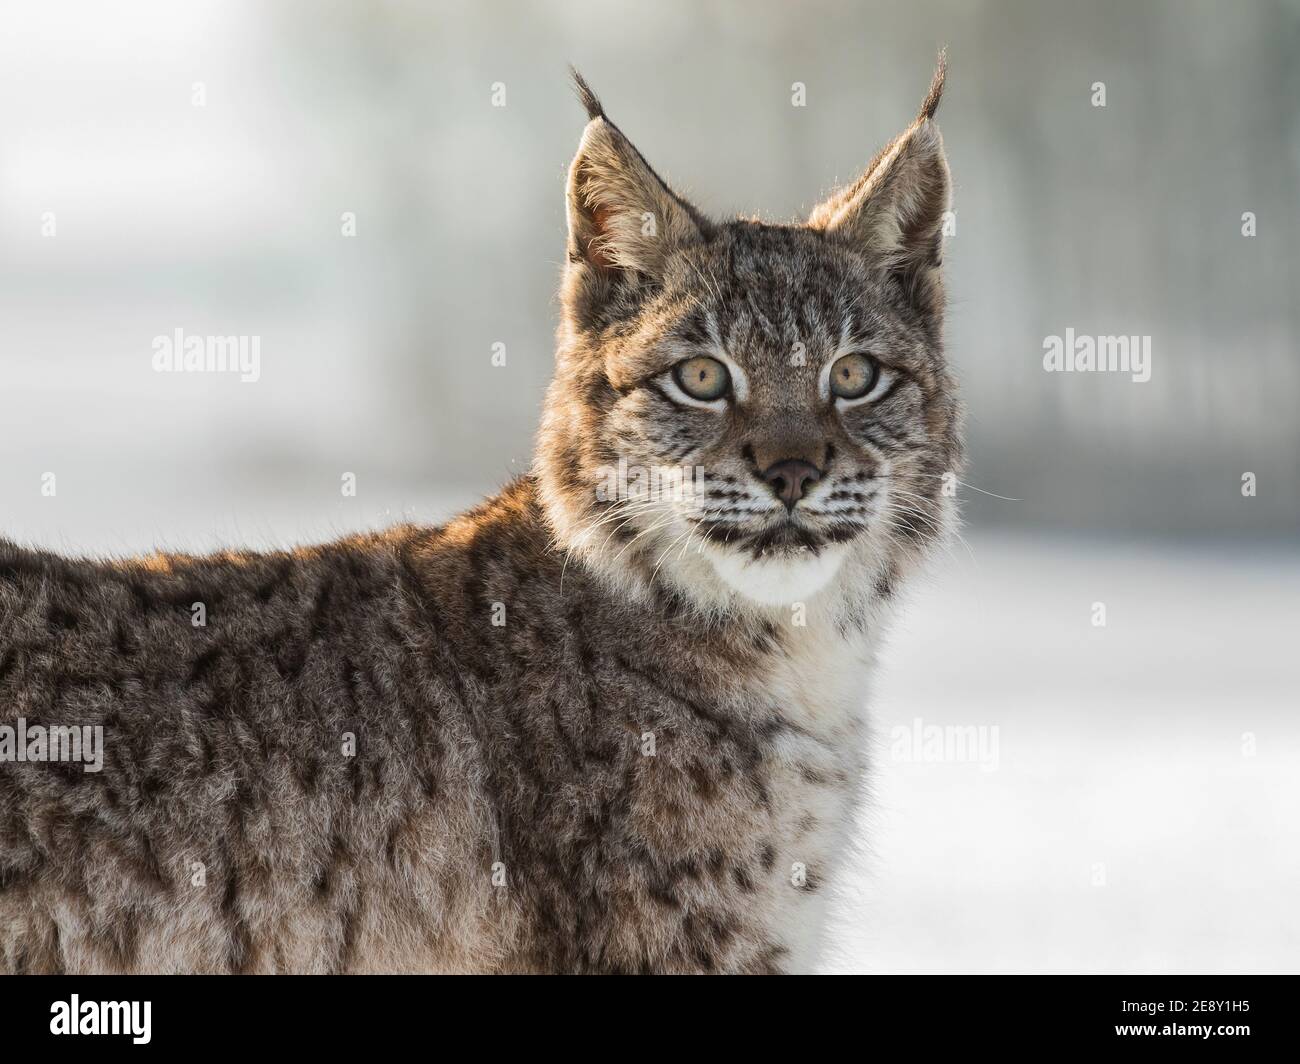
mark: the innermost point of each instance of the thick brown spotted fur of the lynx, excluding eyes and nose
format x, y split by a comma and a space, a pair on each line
569, 732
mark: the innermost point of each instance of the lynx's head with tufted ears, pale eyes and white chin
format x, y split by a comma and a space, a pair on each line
753, 409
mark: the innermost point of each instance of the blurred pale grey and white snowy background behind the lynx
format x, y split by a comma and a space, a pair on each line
340, 181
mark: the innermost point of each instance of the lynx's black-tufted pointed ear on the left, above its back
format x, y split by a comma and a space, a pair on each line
622, 217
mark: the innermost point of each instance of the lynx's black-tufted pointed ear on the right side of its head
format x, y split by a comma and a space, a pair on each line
895, 213
